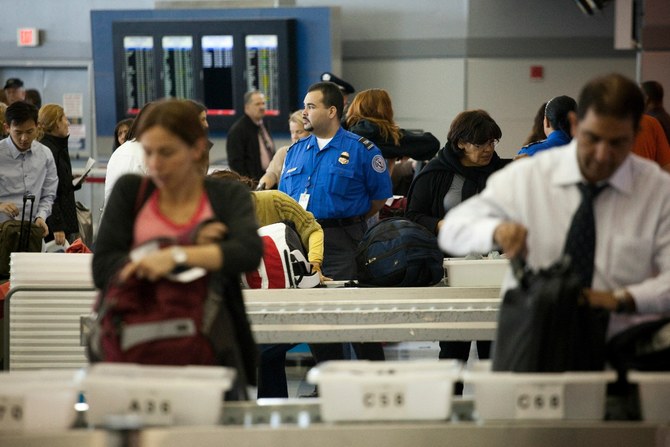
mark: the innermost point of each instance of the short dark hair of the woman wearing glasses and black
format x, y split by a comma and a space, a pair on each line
471, 126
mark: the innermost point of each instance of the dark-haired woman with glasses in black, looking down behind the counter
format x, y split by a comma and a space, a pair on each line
459, 171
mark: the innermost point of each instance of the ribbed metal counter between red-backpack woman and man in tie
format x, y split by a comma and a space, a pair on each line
373, 314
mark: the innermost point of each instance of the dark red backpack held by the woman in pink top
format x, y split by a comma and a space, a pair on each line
163, 322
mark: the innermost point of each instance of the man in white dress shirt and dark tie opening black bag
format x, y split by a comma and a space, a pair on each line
526, 208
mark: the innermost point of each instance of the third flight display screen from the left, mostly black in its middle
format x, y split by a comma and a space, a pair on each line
217, 74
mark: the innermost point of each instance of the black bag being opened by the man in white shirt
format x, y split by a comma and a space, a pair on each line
545, 324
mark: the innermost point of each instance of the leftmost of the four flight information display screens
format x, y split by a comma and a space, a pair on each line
138, 72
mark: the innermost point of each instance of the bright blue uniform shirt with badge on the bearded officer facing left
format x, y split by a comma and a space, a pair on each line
342, 179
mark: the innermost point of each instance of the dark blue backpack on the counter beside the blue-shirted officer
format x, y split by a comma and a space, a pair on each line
399, 252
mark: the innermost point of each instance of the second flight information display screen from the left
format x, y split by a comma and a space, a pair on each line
178, 67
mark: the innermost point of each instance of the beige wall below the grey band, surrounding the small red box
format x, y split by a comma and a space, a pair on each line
428, 93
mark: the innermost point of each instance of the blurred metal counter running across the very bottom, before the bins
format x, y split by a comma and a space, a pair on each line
280, 423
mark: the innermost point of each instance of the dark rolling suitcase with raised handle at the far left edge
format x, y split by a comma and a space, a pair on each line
19, 235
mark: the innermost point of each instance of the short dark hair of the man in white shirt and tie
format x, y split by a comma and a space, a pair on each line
613, 95
